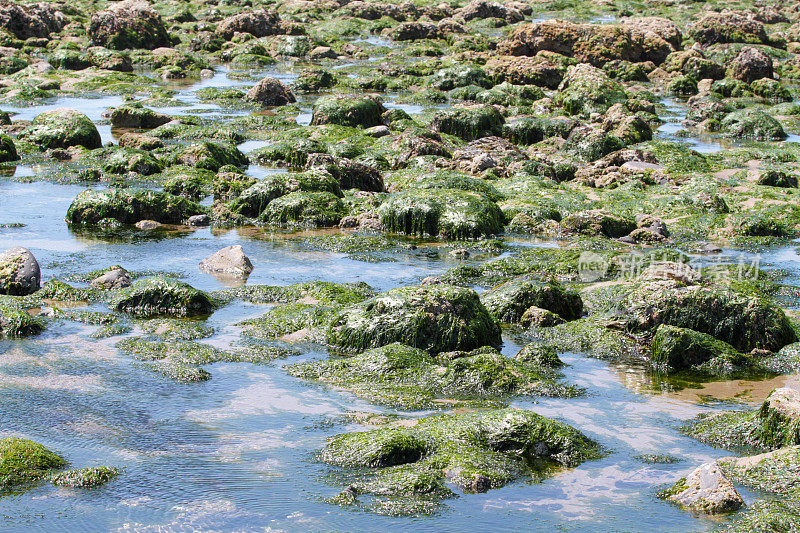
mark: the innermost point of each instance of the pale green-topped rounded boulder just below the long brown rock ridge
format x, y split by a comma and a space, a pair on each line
587, 89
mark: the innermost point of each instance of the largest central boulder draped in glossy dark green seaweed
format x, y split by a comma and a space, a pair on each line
435, 318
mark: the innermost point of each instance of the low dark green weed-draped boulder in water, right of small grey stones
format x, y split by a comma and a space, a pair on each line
162, 296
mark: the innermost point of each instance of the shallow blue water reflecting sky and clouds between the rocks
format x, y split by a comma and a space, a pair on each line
237, 452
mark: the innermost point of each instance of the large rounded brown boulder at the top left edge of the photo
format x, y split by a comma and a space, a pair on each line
128, 24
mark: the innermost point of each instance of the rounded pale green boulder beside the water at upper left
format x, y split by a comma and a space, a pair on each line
62, 128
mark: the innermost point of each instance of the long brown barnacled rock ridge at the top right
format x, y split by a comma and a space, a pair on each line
587, 43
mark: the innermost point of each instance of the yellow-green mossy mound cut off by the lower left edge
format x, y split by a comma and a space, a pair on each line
22, 461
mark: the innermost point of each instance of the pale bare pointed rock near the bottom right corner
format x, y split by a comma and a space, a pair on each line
705, 490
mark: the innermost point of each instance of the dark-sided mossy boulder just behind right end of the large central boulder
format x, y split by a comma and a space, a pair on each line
509, 301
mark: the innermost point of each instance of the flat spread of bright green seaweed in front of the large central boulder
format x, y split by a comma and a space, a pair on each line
406, 377
